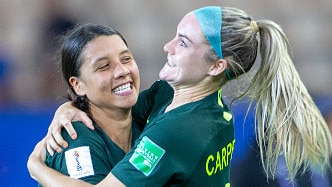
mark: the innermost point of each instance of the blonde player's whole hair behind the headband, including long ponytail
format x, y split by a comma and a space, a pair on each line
287, 120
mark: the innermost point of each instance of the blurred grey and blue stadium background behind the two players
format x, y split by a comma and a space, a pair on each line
30, 82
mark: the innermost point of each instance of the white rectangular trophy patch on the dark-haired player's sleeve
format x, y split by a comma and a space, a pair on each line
78, 161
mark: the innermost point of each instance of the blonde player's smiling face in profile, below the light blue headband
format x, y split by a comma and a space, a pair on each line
186, 64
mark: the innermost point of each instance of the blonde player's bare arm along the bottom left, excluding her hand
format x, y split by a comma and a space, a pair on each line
48, 177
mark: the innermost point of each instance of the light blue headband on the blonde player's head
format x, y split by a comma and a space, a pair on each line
210, 20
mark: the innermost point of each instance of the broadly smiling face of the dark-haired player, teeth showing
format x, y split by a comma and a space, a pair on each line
109, 74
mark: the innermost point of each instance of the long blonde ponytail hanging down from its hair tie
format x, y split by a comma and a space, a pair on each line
288, 121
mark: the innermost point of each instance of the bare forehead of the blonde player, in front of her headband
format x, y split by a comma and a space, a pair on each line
190, 27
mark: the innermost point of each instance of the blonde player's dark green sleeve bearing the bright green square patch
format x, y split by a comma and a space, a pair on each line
146, 165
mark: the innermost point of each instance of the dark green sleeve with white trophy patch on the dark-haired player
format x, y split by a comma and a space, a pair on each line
84, 159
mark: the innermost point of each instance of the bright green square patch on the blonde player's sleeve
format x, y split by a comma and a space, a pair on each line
146, 156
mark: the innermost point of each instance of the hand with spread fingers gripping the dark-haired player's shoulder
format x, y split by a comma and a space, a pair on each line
63, 117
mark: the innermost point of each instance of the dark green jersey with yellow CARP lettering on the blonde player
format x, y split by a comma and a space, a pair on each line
191, 145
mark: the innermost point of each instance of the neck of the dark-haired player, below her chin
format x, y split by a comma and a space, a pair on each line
116, 124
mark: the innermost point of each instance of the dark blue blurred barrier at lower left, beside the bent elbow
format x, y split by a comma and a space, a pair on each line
20, 129
